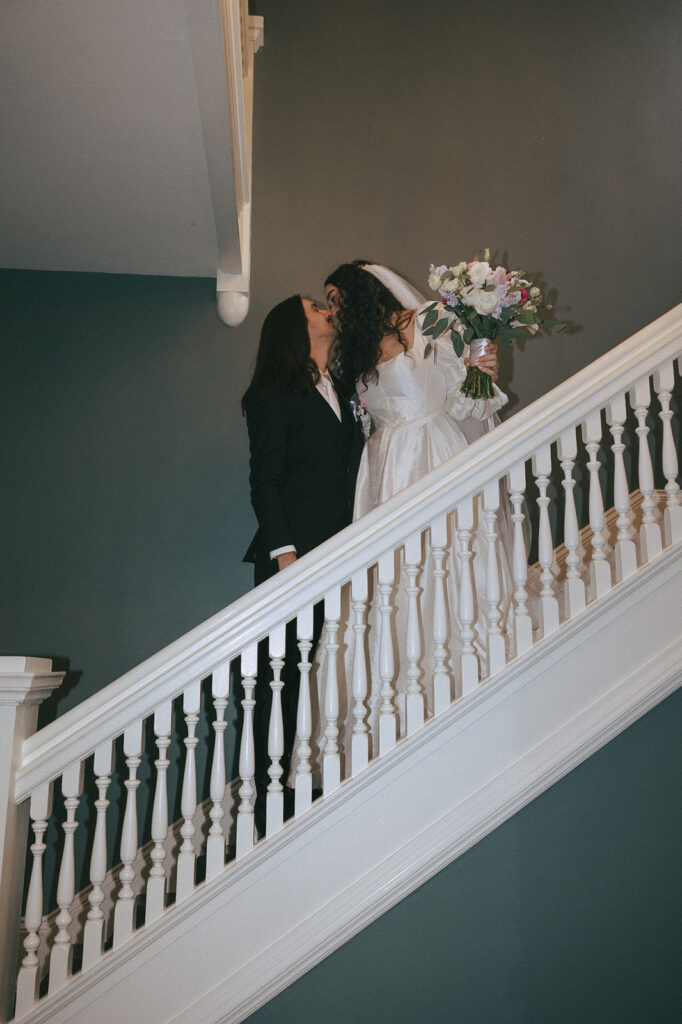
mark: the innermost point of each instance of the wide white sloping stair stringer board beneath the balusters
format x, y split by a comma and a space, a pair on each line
242, 938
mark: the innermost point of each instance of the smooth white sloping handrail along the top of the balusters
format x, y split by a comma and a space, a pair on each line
137, 695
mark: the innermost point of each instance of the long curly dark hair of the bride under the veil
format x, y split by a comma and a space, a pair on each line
368, 314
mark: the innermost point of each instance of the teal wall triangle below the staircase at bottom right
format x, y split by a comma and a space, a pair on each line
571, 913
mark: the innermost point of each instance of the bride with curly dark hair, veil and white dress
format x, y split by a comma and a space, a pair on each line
420, 419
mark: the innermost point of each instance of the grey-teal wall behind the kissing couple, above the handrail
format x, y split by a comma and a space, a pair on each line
397, 132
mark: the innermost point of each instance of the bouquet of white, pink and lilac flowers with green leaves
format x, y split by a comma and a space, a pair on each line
483, 305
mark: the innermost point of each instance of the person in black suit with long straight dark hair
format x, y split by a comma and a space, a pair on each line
306, 449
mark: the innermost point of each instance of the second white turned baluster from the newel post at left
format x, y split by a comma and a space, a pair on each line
72, 787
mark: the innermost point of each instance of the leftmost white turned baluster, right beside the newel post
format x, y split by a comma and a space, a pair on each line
29, 978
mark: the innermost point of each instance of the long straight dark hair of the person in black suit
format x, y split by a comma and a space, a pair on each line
284, 362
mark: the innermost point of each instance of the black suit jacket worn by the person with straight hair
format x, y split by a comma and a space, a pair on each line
304, 468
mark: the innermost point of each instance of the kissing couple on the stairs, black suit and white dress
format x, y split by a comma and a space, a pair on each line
313, 472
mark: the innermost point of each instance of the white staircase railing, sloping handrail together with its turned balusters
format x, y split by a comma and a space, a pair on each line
438, 517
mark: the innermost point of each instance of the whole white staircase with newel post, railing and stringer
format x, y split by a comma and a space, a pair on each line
202, 923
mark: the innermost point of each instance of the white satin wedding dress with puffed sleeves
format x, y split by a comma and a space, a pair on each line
420, 419
